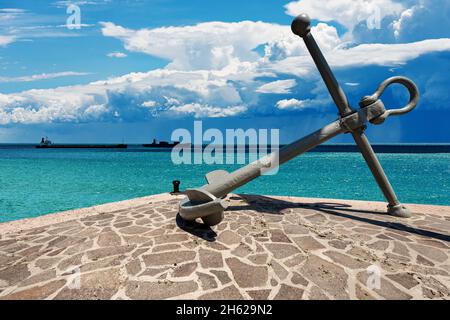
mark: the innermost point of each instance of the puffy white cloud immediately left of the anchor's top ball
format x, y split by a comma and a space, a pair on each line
210, 45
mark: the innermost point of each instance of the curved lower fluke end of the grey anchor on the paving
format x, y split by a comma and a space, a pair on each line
204, 205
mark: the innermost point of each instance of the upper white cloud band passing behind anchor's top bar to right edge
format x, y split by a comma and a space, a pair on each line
230, 46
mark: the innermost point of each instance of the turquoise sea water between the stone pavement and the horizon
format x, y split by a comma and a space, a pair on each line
35, 181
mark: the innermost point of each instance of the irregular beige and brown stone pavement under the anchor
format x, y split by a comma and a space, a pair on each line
266, 248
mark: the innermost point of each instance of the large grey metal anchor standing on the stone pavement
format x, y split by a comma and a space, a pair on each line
207, 202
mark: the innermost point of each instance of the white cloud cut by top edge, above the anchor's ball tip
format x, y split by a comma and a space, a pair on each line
346, 12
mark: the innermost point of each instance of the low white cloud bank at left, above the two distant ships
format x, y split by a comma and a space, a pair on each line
174, 93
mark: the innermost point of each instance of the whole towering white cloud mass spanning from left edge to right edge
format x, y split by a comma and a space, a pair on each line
214, 71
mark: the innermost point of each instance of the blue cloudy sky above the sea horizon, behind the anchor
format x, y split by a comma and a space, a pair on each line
134, 70
